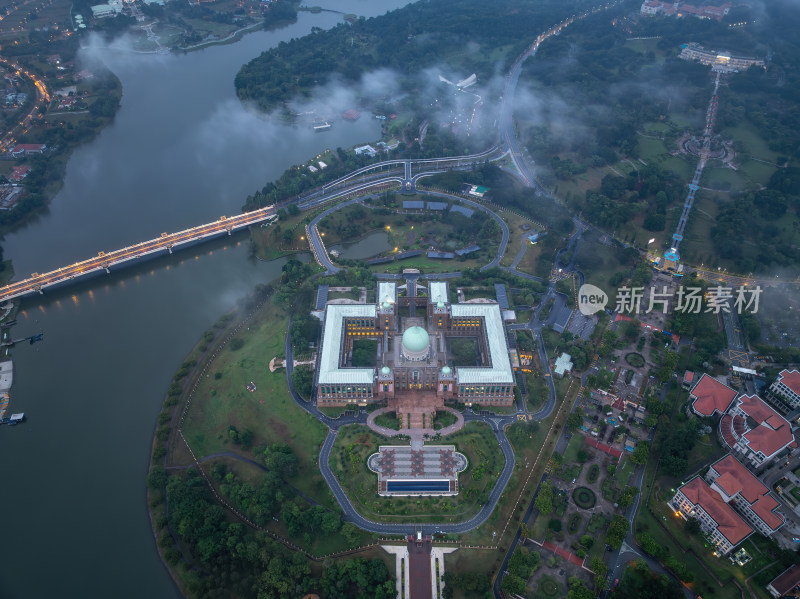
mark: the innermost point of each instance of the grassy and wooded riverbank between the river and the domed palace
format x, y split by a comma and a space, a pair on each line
258, 452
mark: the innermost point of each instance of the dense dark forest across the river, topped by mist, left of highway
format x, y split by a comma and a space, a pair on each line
406, 41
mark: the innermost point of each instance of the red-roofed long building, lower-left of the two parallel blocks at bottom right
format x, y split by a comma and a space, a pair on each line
722, 525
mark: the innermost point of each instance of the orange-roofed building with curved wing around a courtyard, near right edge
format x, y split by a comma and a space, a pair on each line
755, 431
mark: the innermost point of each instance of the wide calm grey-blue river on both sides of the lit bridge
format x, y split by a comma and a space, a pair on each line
182, 151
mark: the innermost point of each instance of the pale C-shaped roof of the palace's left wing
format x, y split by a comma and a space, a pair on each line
330, 371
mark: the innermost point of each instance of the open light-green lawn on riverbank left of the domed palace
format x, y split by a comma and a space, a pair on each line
221, 400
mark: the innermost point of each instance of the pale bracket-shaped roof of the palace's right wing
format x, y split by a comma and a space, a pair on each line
500, 369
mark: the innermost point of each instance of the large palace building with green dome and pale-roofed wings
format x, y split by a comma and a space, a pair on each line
419, 342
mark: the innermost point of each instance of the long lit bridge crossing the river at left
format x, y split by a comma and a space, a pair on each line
134, 253
